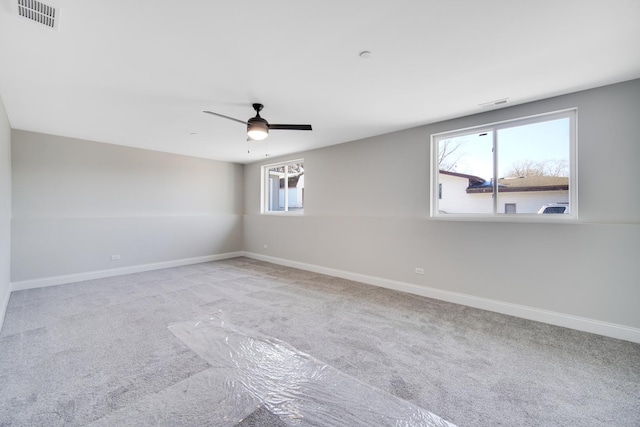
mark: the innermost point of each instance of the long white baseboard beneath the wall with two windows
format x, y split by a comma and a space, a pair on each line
554, 318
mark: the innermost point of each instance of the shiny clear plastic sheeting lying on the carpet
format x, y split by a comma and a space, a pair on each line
300, 390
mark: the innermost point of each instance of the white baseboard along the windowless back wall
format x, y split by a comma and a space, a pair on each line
78, 277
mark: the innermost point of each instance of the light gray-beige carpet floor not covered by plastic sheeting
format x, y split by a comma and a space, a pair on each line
100, 352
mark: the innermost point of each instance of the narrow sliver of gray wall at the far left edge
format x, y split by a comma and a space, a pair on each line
5, 209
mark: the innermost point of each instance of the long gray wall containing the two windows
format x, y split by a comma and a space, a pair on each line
367, 212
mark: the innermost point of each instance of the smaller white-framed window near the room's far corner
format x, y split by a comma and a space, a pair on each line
283, 187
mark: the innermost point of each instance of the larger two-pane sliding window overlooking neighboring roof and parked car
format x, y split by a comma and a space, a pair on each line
521, 168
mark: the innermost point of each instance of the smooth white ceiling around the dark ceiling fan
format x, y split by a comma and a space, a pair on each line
139, 73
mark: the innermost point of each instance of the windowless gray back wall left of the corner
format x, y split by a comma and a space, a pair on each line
76, 203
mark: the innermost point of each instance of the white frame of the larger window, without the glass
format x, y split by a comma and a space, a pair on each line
571, 113
